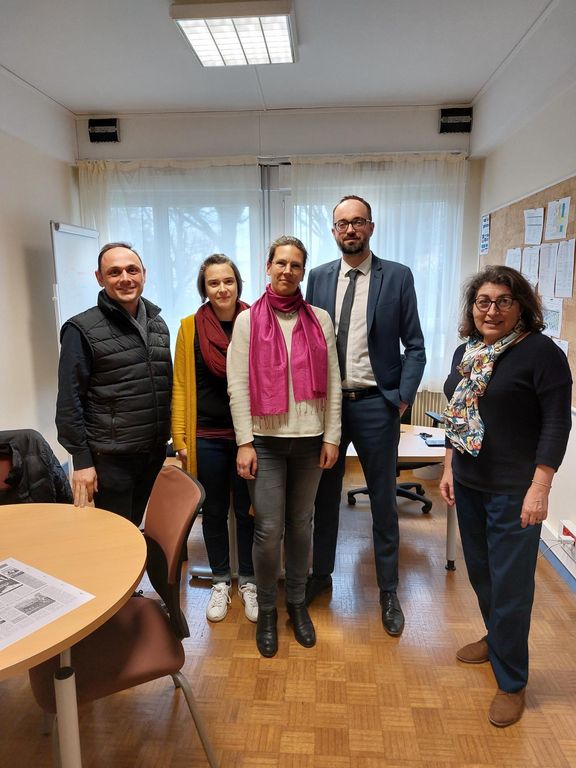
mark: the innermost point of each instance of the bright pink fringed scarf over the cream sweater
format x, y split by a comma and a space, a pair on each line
268, 374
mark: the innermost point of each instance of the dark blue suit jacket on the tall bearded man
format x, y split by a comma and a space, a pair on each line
392, 316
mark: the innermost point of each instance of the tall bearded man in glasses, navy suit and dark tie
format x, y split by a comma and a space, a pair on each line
373, 305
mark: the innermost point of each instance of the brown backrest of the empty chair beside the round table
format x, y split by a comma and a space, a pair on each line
174, 503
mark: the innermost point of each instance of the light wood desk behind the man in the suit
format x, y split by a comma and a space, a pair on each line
413, 449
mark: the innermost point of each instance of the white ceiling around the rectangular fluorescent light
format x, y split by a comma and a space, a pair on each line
128, 56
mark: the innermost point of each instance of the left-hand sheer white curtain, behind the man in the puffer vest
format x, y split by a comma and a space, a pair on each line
175, 213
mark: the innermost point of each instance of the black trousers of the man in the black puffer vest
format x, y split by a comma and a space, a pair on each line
125, 481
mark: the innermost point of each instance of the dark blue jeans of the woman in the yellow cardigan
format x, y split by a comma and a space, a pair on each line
216, 460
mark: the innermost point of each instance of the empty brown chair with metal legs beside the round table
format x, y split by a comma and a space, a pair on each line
143, 640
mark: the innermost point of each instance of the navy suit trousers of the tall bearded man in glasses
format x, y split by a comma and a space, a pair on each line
373, 426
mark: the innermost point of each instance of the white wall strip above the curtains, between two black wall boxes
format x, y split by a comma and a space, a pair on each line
273, 134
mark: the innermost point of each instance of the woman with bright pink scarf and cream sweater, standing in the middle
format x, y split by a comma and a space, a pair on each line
284, 387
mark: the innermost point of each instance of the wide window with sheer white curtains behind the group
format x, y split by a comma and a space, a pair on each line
175, 213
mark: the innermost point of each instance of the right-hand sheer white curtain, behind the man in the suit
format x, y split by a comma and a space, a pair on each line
417, 206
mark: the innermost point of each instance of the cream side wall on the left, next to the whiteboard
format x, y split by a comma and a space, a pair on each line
34, 188
